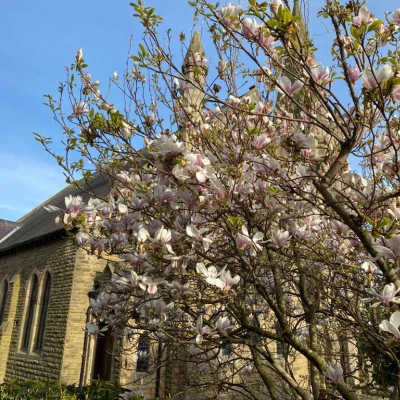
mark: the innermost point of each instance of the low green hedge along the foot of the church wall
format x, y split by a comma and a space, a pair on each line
35, 390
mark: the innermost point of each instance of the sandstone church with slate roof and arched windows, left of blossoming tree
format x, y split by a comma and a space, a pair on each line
46, 283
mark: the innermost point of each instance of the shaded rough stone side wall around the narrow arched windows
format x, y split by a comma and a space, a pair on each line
58, 257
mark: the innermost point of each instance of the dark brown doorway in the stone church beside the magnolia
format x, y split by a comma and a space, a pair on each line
104, 357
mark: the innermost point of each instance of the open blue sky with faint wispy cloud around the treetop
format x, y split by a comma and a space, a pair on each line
37, 39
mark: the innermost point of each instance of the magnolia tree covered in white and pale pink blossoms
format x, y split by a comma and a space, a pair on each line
249, 224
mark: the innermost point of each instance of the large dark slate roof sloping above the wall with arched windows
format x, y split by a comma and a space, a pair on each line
39, 223
